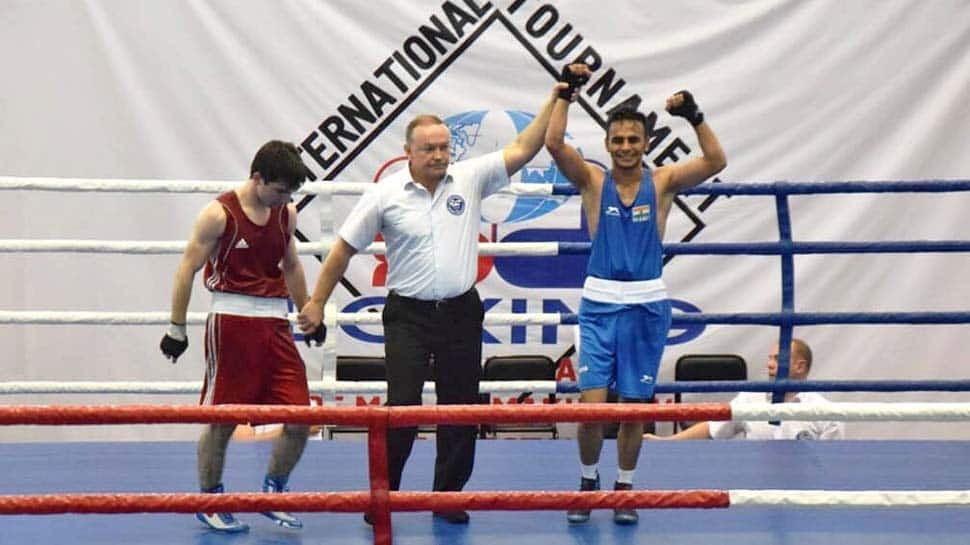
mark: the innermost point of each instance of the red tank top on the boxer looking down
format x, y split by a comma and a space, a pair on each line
247, 259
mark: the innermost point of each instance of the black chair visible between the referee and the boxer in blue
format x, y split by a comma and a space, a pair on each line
519, 368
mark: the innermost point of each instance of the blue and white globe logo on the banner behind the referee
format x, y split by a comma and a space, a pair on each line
479, 132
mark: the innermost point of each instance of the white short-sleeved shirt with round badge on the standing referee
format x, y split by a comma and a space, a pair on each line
432, 240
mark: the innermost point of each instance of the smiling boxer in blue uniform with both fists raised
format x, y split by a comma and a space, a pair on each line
624, 315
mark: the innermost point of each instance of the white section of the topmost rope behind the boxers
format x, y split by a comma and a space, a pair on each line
202, 186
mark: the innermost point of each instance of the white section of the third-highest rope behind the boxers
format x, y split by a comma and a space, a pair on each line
58, 317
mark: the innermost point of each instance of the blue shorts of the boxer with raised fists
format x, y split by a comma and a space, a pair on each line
621, 345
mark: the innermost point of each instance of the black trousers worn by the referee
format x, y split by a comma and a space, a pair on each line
449, 334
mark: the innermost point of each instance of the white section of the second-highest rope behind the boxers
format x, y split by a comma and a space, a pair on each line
168, 247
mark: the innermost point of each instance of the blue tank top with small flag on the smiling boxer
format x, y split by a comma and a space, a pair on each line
627, 245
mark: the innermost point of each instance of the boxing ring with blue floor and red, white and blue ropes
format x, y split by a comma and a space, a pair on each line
723, 492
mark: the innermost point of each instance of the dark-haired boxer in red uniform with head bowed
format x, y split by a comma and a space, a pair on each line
245, 241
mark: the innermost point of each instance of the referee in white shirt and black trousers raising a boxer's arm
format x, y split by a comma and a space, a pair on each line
429, 215
